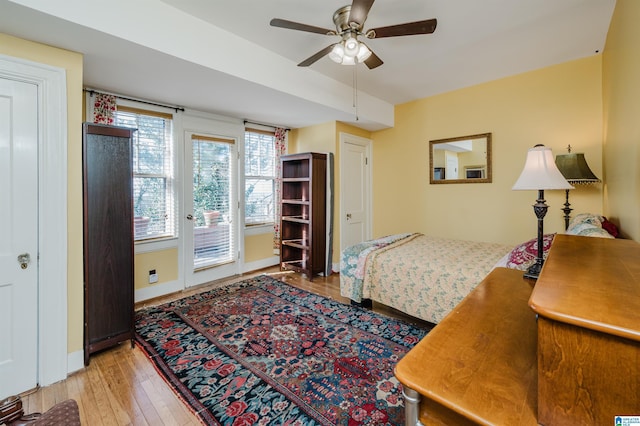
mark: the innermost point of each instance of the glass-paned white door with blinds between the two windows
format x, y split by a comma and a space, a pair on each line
211, 248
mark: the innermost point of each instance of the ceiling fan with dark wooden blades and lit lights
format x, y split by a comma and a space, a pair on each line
349, 21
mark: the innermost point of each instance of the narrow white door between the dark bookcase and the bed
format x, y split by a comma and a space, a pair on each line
355, 187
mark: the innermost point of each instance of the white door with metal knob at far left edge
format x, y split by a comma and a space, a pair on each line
18, 237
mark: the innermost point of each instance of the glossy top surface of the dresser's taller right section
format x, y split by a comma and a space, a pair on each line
592, 283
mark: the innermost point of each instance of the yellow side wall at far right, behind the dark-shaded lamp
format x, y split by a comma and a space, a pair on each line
621, 94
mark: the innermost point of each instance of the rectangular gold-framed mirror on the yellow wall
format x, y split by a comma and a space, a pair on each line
463, 159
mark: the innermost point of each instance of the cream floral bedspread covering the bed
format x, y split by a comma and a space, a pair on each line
423, 276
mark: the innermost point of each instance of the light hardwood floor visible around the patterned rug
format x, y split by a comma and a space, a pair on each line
121, 387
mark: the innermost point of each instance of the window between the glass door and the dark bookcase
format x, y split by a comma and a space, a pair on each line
260, 177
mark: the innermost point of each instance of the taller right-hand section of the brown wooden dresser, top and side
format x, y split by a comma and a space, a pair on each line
588, 304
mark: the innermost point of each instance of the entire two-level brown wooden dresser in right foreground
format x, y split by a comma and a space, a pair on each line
564, 352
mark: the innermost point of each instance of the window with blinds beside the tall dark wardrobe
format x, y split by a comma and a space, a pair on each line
153, 176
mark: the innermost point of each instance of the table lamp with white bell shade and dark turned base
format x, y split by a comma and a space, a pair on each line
540, 173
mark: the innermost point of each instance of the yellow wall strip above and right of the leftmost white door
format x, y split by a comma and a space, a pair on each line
72, 63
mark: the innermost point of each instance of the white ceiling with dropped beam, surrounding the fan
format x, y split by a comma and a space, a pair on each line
222, 56
